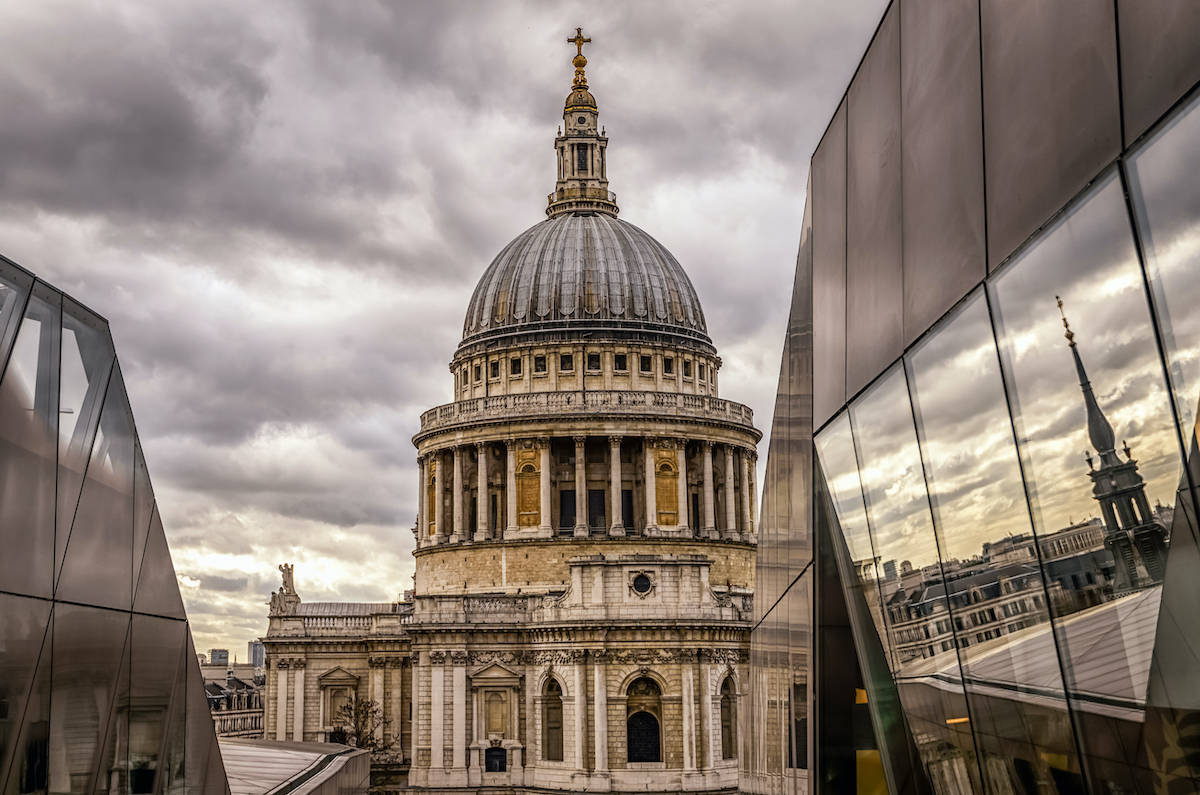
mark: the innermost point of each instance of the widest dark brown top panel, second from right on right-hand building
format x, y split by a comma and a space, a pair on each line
1052, 118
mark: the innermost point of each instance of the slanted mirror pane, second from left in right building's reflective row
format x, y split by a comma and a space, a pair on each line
915, 605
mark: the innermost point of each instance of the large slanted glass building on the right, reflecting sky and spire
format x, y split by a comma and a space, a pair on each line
980, 561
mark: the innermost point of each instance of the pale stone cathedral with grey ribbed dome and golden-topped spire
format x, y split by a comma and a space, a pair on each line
585, 539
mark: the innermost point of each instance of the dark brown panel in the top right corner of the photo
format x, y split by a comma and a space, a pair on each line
1160, 58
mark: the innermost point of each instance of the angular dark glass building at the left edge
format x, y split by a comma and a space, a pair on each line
100, 686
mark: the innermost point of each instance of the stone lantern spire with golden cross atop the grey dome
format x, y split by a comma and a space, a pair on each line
583, 184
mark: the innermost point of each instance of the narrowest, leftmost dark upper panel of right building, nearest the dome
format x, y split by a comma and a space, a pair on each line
829, 201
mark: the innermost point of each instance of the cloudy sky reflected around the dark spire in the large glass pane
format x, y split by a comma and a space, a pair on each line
1090, 260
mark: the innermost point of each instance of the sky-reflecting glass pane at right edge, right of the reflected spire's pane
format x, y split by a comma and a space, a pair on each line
1168, 201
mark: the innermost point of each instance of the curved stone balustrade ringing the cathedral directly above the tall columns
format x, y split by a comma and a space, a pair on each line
598, 403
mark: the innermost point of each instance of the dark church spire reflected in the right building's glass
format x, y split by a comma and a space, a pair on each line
1132, 530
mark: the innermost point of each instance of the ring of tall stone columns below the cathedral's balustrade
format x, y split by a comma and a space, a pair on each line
662, 479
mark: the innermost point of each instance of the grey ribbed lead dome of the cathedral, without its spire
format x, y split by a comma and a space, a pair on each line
585, 272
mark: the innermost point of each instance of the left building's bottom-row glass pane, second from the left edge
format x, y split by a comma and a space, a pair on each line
89, 649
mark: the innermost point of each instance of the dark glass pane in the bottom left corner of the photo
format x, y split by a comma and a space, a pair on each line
23, 638
